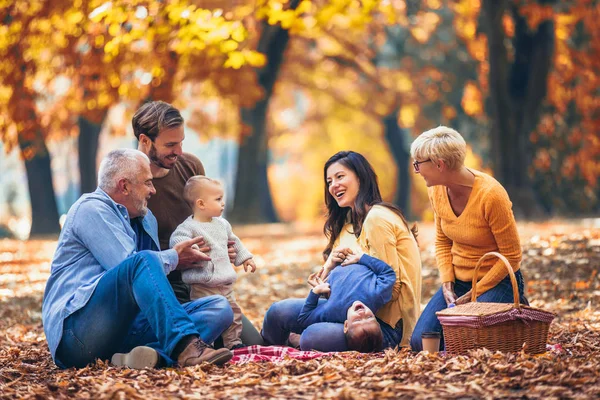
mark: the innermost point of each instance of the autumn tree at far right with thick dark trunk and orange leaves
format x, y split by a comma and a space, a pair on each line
539, 99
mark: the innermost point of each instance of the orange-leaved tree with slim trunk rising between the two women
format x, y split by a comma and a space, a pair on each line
405, 71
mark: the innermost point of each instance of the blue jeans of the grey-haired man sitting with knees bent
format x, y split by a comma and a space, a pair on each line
134, 305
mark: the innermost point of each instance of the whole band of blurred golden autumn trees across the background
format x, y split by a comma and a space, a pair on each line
292, 82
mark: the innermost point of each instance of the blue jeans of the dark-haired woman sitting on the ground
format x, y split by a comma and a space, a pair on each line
282, 318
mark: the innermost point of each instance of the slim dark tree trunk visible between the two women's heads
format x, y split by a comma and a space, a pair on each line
398, 146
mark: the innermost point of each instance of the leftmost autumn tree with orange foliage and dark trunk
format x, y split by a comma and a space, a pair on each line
32, 33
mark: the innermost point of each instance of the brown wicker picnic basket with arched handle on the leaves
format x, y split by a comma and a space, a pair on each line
495, 326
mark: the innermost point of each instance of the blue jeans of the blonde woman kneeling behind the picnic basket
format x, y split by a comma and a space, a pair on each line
428, 322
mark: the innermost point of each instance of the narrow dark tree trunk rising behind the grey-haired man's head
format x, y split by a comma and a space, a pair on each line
89, 135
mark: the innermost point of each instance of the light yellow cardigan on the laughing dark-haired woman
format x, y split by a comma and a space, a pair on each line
386, 237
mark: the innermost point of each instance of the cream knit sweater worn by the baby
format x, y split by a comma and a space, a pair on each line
216, 233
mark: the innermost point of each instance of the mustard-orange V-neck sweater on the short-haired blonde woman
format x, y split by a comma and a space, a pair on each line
486, 224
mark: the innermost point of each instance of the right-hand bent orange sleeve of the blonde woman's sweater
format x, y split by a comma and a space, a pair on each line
499, 215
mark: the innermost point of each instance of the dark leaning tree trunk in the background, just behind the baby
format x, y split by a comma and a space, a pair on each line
252, 200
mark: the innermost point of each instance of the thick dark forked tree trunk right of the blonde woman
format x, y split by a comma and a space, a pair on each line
516, 93
